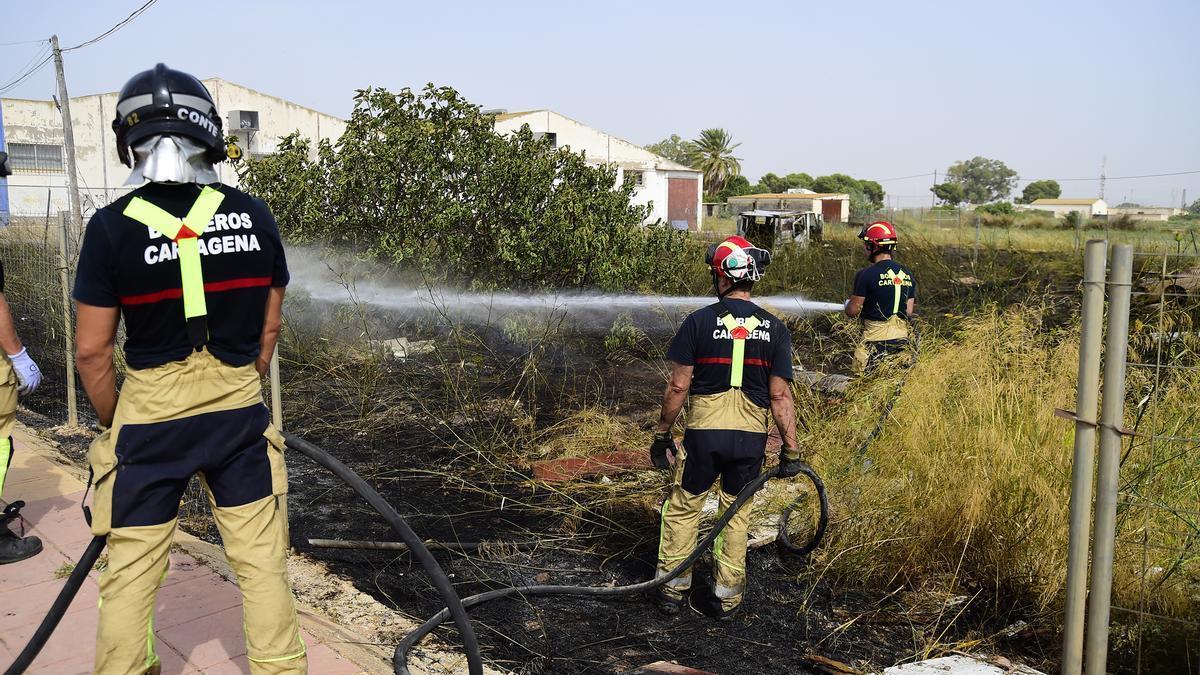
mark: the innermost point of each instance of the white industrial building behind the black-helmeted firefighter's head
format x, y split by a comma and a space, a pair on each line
32, 134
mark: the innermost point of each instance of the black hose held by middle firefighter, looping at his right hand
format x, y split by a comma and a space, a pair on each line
400, 660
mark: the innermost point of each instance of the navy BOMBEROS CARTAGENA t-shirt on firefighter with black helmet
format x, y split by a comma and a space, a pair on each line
128, 265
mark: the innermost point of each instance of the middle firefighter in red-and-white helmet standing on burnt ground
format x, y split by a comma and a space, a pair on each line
733, 362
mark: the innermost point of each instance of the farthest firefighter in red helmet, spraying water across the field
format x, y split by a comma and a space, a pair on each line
885, 297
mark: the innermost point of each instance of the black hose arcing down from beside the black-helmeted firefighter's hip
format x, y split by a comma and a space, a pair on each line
457, 608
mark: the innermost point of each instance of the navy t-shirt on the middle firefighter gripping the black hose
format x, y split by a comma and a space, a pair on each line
704, 343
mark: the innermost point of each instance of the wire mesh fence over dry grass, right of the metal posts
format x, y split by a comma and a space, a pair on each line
1159, 504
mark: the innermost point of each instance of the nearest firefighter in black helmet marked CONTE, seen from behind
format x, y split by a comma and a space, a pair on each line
197, 271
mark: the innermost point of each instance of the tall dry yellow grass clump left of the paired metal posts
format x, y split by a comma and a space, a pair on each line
969, 483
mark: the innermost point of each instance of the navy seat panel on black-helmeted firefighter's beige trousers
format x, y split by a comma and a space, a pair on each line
155, 462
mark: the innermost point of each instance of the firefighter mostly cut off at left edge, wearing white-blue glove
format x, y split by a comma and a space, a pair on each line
19, 375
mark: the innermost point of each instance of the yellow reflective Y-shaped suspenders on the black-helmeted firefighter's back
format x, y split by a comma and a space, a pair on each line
185, 234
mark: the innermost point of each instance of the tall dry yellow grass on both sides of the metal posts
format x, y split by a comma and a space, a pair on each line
967, 492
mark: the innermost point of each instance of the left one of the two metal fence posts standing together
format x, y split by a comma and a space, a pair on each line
1083, 467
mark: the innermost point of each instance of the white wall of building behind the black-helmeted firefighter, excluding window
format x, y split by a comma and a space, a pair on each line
101, 174
